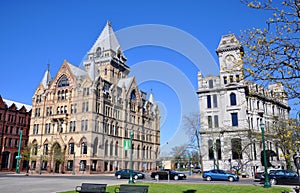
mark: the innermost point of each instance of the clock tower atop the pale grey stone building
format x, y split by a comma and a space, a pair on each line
230, 53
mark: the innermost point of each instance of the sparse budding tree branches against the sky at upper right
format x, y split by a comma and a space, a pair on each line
272, 54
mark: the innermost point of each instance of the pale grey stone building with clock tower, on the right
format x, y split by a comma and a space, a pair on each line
231, 110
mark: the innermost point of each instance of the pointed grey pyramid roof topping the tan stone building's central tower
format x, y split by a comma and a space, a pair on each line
106, 41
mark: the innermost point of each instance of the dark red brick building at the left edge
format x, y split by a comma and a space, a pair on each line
14, 117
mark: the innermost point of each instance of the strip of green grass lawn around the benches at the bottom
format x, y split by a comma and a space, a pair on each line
203, 188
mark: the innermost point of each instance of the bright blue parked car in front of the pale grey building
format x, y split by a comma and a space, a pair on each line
219, 175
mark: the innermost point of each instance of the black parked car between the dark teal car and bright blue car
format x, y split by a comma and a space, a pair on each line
166, 173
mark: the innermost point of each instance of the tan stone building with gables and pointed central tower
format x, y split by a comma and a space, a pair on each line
82, 116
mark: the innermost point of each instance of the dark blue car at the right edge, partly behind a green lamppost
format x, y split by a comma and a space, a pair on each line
286, 177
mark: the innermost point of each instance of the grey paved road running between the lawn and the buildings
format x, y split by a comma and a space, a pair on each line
19, 183
